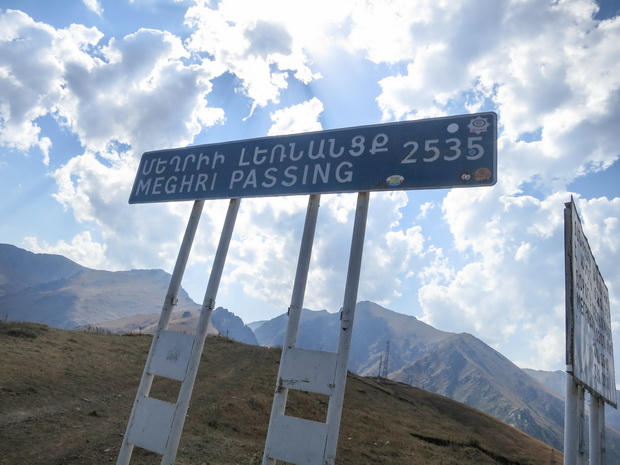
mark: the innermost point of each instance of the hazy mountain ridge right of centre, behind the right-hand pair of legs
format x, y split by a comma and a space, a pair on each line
458, 366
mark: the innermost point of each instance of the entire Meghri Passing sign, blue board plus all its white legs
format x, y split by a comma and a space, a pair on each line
457, 151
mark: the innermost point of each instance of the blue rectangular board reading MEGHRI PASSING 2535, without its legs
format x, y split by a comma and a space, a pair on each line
455, 151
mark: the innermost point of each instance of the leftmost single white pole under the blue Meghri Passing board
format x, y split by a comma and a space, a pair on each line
170, 301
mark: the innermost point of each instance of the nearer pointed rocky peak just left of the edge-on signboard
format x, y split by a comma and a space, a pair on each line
465, 369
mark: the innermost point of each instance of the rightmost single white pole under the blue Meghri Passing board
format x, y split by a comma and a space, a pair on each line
334, 411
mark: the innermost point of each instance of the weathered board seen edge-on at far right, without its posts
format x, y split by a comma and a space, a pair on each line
588, 322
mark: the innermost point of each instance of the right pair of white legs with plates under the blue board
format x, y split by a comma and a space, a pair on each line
297, 440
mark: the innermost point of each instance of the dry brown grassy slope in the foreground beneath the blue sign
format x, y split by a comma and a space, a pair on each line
65, 398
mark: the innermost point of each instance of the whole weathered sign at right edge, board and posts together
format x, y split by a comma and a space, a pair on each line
589, 347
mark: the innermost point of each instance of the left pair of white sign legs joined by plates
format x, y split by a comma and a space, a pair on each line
154, 424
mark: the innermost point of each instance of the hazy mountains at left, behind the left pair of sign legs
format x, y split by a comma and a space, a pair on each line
53, 290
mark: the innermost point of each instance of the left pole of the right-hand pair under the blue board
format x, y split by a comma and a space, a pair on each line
294, 312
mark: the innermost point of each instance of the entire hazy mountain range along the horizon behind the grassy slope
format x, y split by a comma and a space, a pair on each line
51, 289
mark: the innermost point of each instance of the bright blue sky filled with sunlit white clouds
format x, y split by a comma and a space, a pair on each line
87, 86
